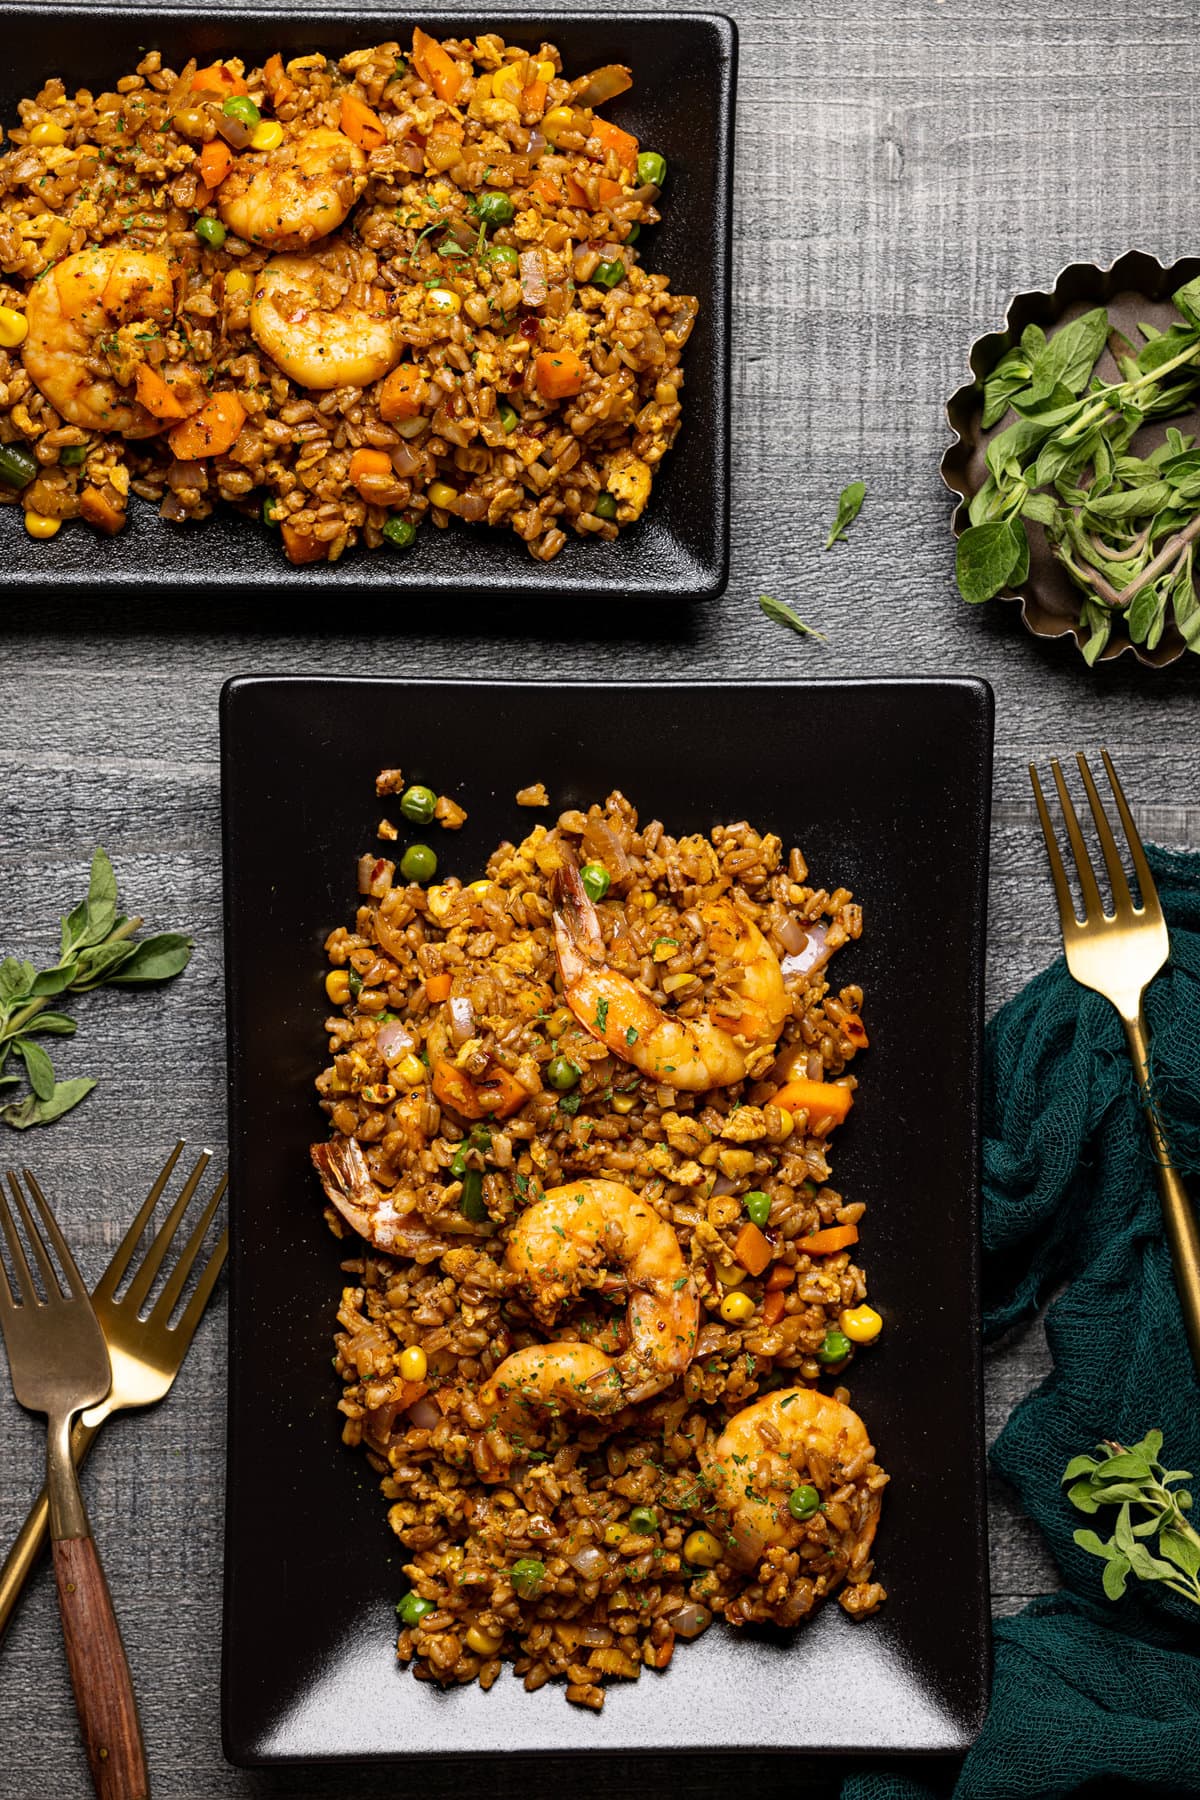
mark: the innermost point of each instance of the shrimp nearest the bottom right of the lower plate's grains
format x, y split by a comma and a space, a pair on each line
789, 1437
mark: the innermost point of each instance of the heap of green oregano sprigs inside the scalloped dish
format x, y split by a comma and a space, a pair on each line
1124, 526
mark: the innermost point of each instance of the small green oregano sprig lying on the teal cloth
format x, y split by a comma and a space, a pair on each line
1138, 1484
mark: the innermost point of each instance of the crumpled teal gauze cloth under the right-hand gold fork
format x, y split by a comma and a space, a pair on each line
1088, 1691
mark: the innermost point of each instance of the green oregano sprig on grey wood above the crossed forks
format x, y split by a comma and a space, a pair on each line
96, 949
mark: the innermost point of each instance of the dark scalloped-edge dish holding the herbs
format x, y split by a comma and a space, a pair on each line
1136, 287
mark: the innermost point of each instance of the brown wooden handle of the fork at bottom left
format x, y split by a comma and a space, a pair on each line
100, 1673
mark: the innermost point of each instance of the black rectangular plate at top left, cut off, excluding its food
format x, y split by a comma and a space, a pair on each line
683, 105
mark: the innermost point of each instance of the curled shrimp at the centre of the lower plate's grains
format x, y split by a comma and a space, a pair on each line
582, 1228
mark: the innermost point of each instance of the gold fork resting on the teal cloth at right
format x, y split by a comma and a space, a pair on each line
1118, 955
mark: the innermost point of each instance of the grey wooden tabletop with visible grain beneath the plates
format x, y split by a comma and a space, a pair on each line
902, 168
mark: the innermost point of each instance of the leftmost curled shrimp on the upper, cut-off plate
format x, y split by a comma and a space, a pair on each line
89, 319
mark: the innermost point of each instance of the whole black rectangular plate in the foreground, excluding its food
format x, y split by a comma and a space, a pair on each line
886, 787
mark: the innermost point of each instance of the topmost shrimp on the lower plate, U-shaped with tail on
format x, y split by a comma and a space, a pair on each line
690, 1054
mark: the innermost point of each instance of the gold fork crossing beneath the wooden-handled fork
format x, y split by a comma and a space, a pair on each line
147, 1354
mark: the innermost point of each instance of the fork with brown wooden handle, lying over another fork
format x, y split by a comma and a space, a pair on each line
58, 1365
